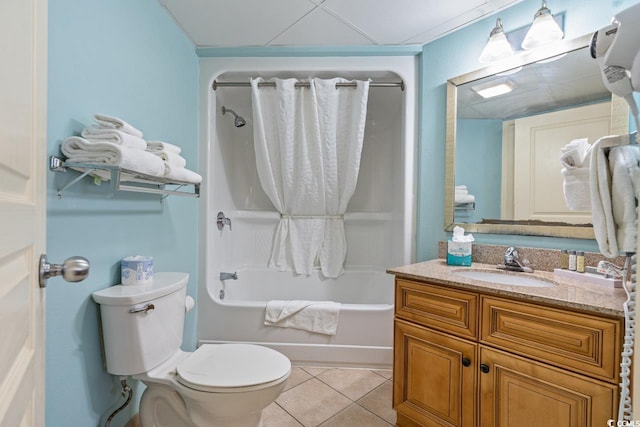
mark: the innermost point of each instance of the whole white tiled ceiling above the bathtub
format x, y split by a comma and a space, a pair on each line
244, 23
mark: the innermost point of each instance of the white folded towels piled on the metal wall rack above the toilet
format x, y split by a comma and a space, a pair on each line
112, 141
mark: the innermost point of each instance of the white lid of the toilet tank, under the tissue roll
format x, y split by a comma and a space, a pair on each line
162, 284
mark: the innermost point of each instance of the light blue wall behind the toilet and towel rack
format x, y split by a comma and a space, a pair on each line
127, 59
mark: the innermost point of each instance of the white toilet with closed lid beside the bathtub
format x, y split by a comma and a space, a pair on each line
217, 385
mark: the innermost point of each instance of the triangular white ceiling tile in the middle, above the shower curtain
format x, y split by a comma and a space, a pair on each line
321, 28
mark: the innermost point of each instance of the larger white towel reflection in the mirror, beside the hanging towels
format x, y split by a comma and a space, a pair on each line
575, 160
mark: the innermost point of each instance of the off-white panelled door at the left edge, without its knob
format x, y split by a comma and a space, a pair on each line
23, 80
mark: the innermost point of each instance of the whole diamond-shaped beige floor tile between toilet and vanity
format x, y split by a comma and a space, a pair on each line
312, 402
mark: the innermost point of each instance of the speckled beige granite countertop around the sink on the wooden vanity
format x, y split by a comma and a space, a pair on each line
565, 293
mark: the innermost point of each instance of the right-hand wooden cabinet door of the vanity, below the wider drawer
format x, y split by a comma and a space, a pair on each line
516, 392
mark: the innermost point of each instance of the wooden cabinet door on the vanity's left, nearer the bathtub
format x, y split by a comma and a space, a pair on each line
434, 378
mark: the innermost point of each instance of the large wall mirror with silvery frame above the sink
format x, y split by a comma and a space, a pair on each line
505, 149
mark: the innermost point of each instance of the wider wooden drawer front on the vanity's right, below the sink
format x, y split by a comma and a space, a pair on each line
576, 341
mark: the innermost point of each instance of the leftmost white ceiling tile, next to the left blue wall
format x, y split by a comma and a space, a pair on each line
237, 22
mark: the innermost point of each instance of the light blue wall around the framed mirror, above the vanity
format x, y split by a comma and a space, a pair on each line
457, 54
